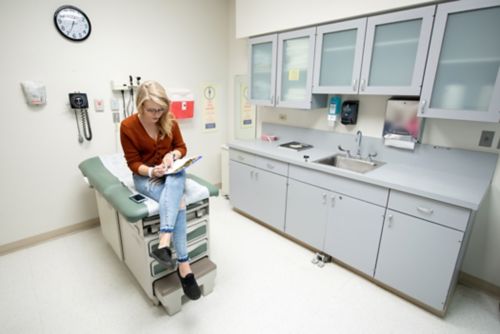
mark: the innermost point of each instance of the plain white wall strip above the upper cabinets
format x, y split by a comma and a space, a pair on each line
255, 17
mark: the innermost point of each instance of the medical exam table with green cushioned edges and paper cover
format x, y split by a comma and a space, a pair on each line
132, 229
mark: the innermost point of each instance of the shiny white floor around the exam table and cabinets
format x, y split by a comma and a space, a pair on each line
265, 284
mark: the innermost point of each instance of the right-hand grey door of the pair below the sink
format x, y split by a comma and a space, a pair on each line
353, 232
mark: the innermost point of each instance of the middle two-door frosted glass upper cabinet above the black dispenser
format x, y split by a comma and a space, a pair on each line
388, 60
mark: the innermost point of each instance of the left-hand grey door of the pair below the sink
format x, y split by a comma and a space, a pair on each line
306, 213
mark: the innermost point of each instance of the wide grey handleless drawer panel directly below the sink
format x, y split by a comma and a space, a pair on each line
360, 190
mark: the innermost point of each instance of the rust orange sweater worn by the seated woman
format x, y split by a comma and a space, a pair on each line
140, 148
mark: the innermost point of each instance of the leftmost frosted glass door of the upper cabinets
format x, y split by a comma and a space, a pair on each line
262, 56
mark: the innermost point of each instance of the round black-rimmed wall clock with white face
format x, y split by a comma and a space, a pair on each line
72, 23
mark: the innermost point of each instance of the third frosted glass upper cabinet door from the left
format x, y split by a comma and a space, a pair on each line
339, 50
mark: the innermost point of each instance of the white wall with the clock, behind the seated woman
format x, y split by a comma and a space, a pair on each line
180, 43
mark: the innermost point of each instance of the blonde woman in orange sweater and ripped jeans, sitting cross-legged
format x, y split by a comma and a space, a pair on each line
151, 141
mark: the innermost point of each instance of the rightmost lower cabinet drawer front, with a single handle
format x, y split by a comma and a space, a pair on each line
438, 212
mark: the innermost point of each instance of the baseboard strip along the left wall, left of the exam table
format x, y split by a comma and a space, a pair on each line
34, 240
